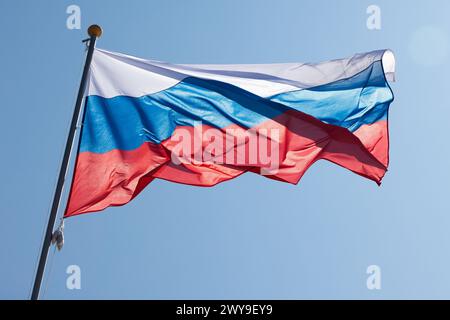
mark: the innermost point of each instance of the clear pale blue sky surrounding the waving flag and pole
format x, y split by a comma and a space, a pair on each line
249, 238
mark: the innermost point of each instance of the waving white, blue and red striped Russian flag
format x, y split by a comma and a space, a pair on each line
205, 124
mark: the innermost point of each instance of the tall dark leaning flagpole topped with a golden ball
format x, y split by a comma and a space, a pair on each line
94, 32
